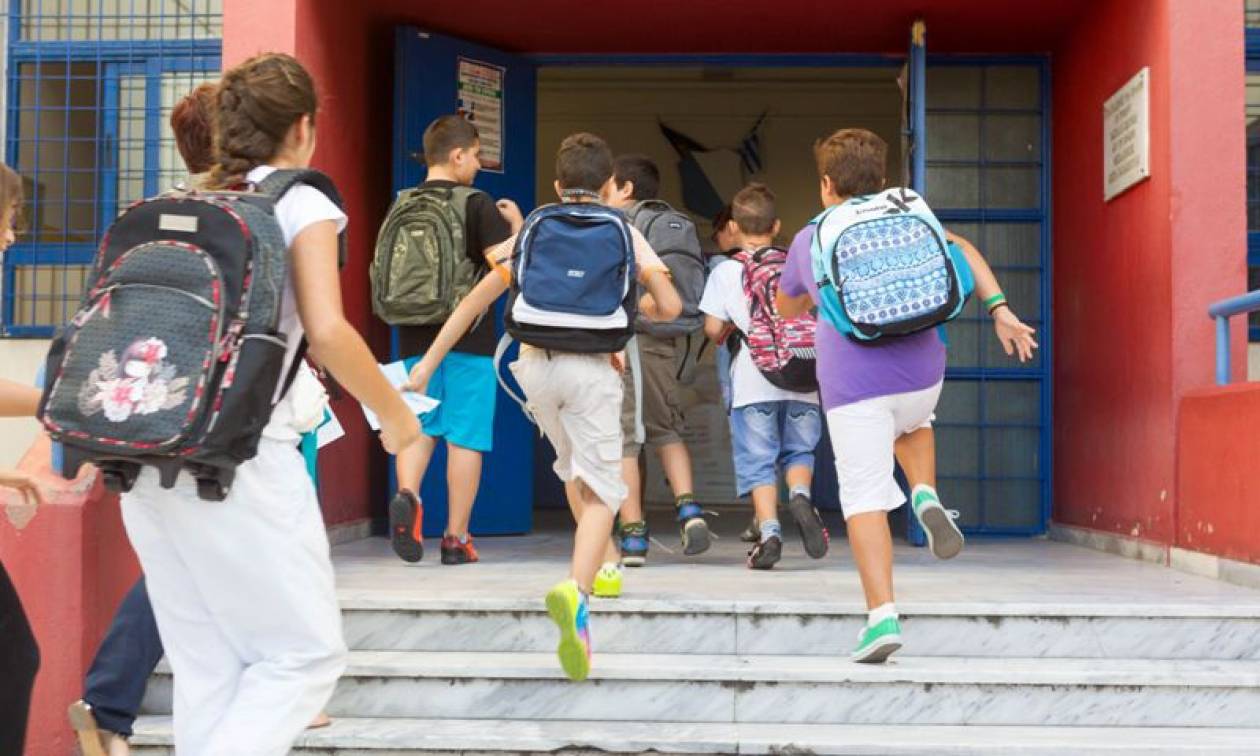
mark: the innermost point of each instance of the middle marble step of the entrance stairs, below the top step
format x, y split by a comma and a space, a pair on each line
796, 690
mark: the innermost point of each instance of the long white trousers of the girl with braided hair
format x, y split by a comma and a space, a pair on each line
245, 602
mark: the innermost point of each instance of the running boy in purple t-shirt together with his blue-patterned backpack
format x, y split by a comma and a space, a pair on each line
880, 268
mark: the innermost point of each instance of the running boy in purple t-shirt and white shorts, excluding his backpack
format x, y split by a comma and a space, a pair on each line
880, 398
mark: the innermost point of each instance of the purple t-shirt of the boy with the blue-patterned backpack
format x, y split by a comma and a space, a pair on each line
851, 372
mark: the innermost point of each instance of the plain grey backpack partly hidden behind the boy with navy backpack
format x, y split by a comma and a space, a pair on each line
673, 238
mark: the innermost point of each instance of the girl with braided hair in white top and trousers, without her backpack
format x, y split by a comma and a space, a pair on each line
244, 592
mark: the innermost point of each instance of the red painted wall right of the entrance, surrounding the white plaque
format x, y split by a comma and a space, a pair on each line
1133, 278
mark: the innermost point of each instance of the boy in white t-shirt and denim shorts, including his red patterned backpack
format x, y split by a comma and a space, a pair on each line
776, 420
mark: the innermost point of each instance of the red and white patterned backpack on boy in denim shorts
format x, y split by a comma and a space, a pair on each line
782, 348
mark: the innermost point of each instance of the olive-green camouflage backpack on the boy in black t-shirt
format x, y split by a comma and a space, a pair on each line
421, 270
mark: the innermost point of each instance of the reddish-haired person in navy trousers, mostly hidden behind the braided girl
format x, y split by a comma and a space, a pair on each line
132, 650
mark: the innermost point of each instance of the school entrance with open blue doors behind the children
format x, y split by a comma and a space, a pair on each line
970, 130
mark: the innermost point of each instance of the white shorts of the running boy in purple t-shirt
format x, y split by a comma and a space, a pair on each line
864, 435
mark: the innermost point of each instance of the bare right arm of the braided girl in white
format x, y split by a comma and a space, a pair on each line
333, 341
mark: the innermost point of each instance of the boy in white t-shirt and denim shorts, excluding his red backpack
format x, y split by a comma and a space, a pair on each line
772, 429
